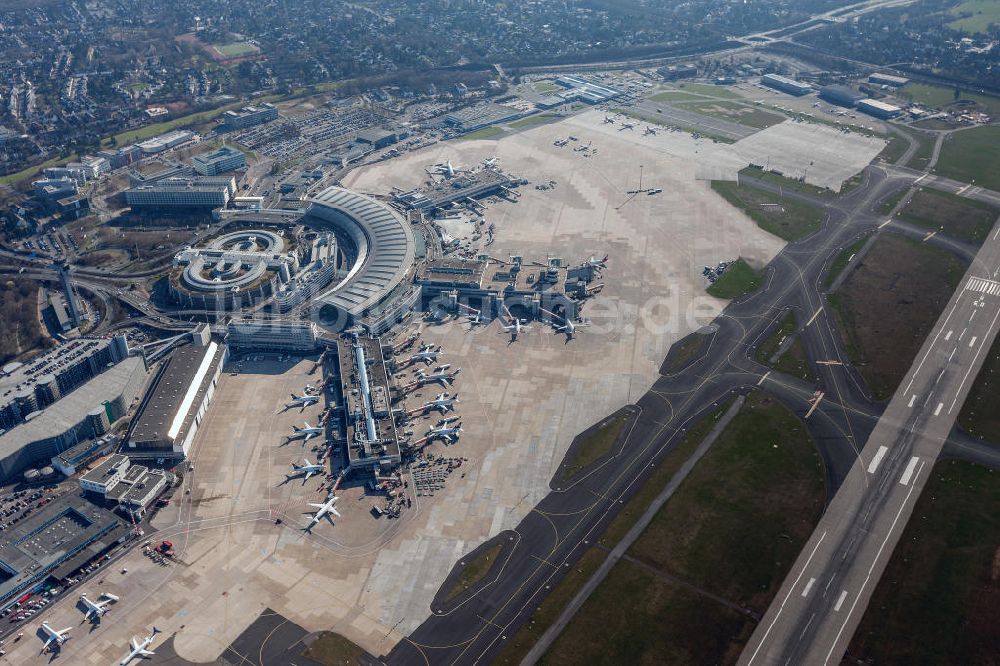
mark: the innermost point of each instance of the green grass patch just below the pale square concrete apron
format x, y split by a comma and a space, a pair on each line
784, 217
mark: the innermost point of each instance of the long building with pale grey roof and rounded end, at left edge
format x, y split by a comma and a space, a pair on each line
85, 413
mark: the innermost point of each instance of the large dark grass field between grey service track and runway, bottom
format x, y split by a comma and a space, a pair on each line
733, 529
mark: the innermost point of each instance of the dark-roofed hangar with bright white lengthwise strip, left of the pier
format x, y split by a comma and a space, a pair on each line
177, 402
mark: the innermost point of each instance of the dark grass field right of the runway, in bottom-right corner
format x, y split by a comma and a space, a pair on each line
937, 601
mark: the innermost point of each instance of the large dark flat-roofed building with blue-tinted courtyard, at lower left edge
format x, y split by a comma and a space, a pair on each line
55, 541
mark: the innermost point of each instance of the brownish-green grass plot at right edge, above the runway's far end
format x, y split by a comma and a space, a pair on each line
965, 219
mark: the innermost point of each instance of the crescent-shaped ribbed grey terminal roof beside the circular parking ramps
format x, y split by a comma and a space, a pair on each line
385, 247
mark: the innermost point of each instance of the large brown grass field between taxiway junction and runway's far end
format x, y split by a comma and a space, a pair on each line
911, 280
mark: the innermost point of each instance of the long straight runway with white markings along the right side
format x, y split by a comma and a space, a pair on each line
822, 600
